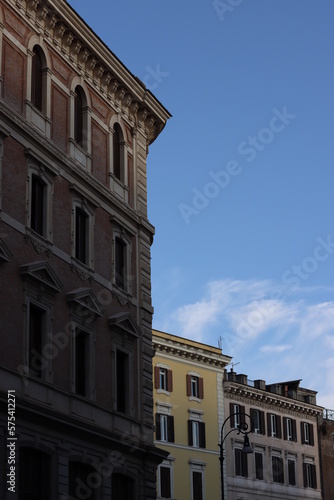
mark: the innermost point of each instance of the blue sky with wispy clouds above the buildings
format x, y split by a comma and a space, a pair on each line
241, 181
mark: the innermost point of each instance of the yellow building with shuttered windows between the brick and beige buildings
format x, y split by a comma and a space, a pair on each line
189, 412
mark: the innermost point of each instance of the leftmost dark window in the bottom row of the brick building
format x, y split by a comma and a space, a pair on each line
34, 480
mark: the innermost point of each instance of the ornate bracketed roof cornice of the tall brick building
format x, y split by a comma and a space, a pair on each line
64, 30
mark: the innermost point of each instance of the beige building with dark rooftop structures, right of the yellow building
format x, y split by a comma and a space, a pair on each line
285, 459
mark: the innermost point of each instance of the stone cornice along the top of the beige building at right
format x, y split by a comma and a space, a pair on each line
268, 400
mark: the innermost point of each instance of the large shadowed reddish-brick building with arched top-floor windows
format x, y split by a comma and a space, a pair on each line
75, 308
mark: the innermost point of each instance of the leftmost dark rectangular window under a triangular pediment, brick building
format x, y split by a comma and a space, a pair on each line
36, 334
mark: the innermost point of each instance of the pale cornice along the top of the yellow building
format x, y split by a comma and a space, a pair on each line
186, 351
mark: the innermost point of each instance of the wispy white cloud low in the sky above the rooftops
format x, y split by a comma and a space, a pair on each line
271, 331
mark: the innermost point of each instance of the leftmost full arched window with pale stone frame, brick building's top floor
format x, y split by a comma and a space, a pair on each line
38, 111
